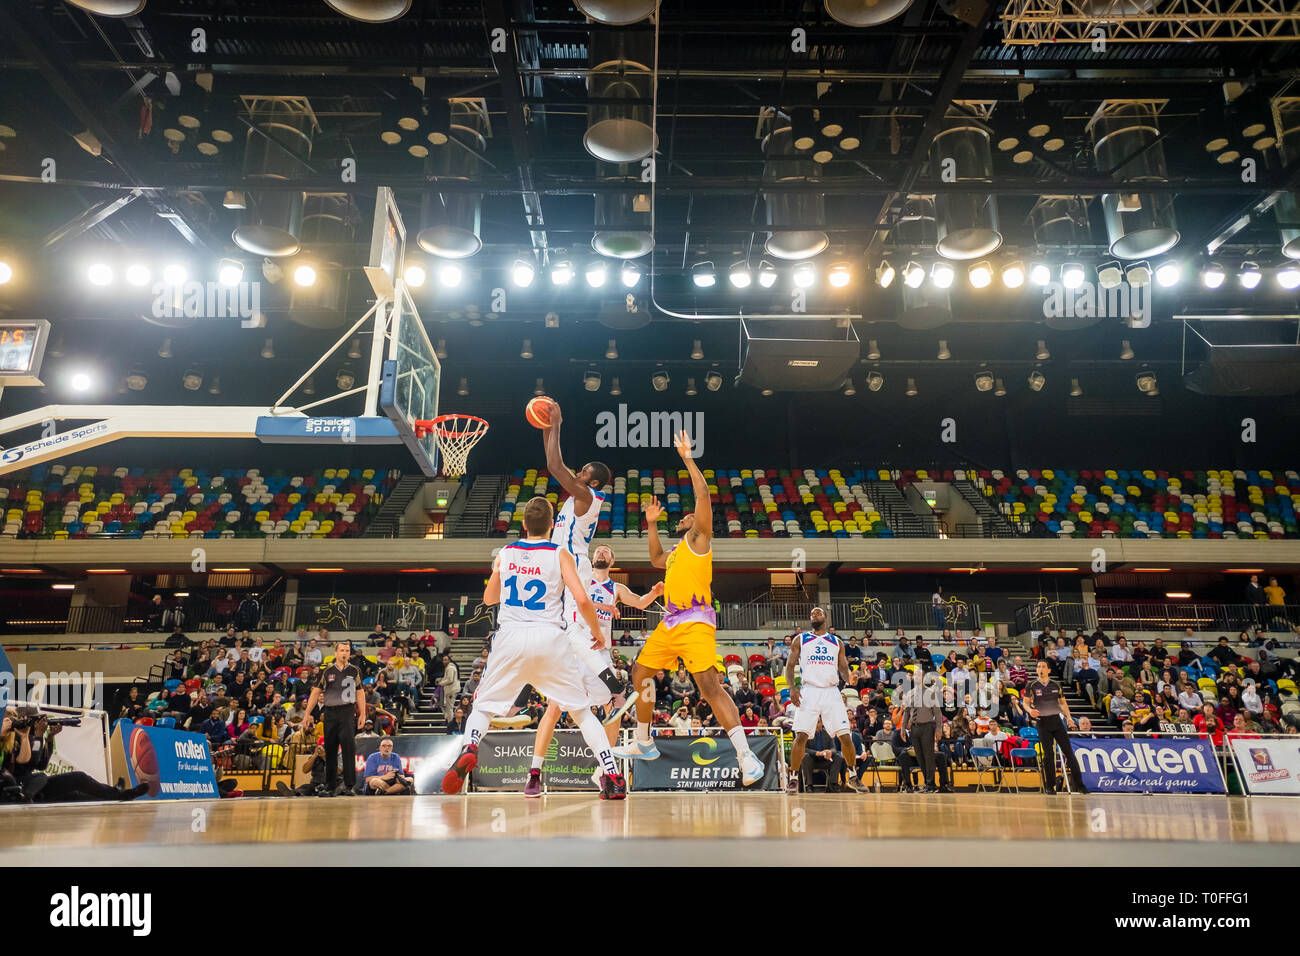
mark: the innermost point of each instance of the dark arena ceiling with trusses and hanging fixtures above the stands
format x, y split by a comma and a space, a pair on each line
102, 165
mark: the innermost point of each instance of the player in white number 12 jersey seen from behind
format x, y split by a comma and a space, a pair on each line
530, 581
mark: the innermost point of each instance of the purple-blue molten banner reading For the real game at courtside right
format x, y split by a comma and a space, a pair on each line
1150, 765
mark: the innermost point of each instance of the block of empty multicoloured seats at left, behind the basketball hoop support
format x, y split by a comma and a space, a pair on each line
77, 501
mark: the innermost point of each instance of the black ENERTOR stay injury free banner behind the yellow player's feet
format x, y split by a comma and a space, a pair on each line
705, 764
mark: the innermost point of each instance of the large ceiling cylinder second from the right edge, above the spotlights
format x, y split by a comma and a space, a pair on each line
1139, 226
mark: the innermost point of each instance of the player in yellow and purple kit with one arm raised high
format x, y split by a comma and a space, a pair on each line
690, 628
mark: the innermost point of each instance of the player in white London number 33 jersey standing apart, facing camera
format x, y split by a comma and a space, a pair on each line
822, 663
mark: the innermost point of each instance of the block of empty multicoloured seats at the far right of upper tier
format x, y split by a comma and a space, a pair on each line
1149, 504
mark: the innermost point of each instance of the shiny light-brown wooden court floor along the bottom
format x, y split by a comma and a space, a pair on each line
673, 829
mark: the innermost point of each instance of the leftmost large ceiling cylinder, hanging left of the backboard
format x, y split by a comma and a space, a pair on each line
278, 148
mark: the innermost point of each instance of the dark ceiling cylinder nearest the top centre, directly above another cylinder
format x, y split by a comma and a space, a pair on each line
618, 122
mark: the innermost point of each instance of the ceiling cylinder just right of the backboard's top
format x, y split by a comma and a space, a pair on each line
450, 220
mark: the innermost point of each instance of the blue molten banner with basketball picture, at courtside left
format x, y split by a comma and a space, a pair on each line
176, 765
